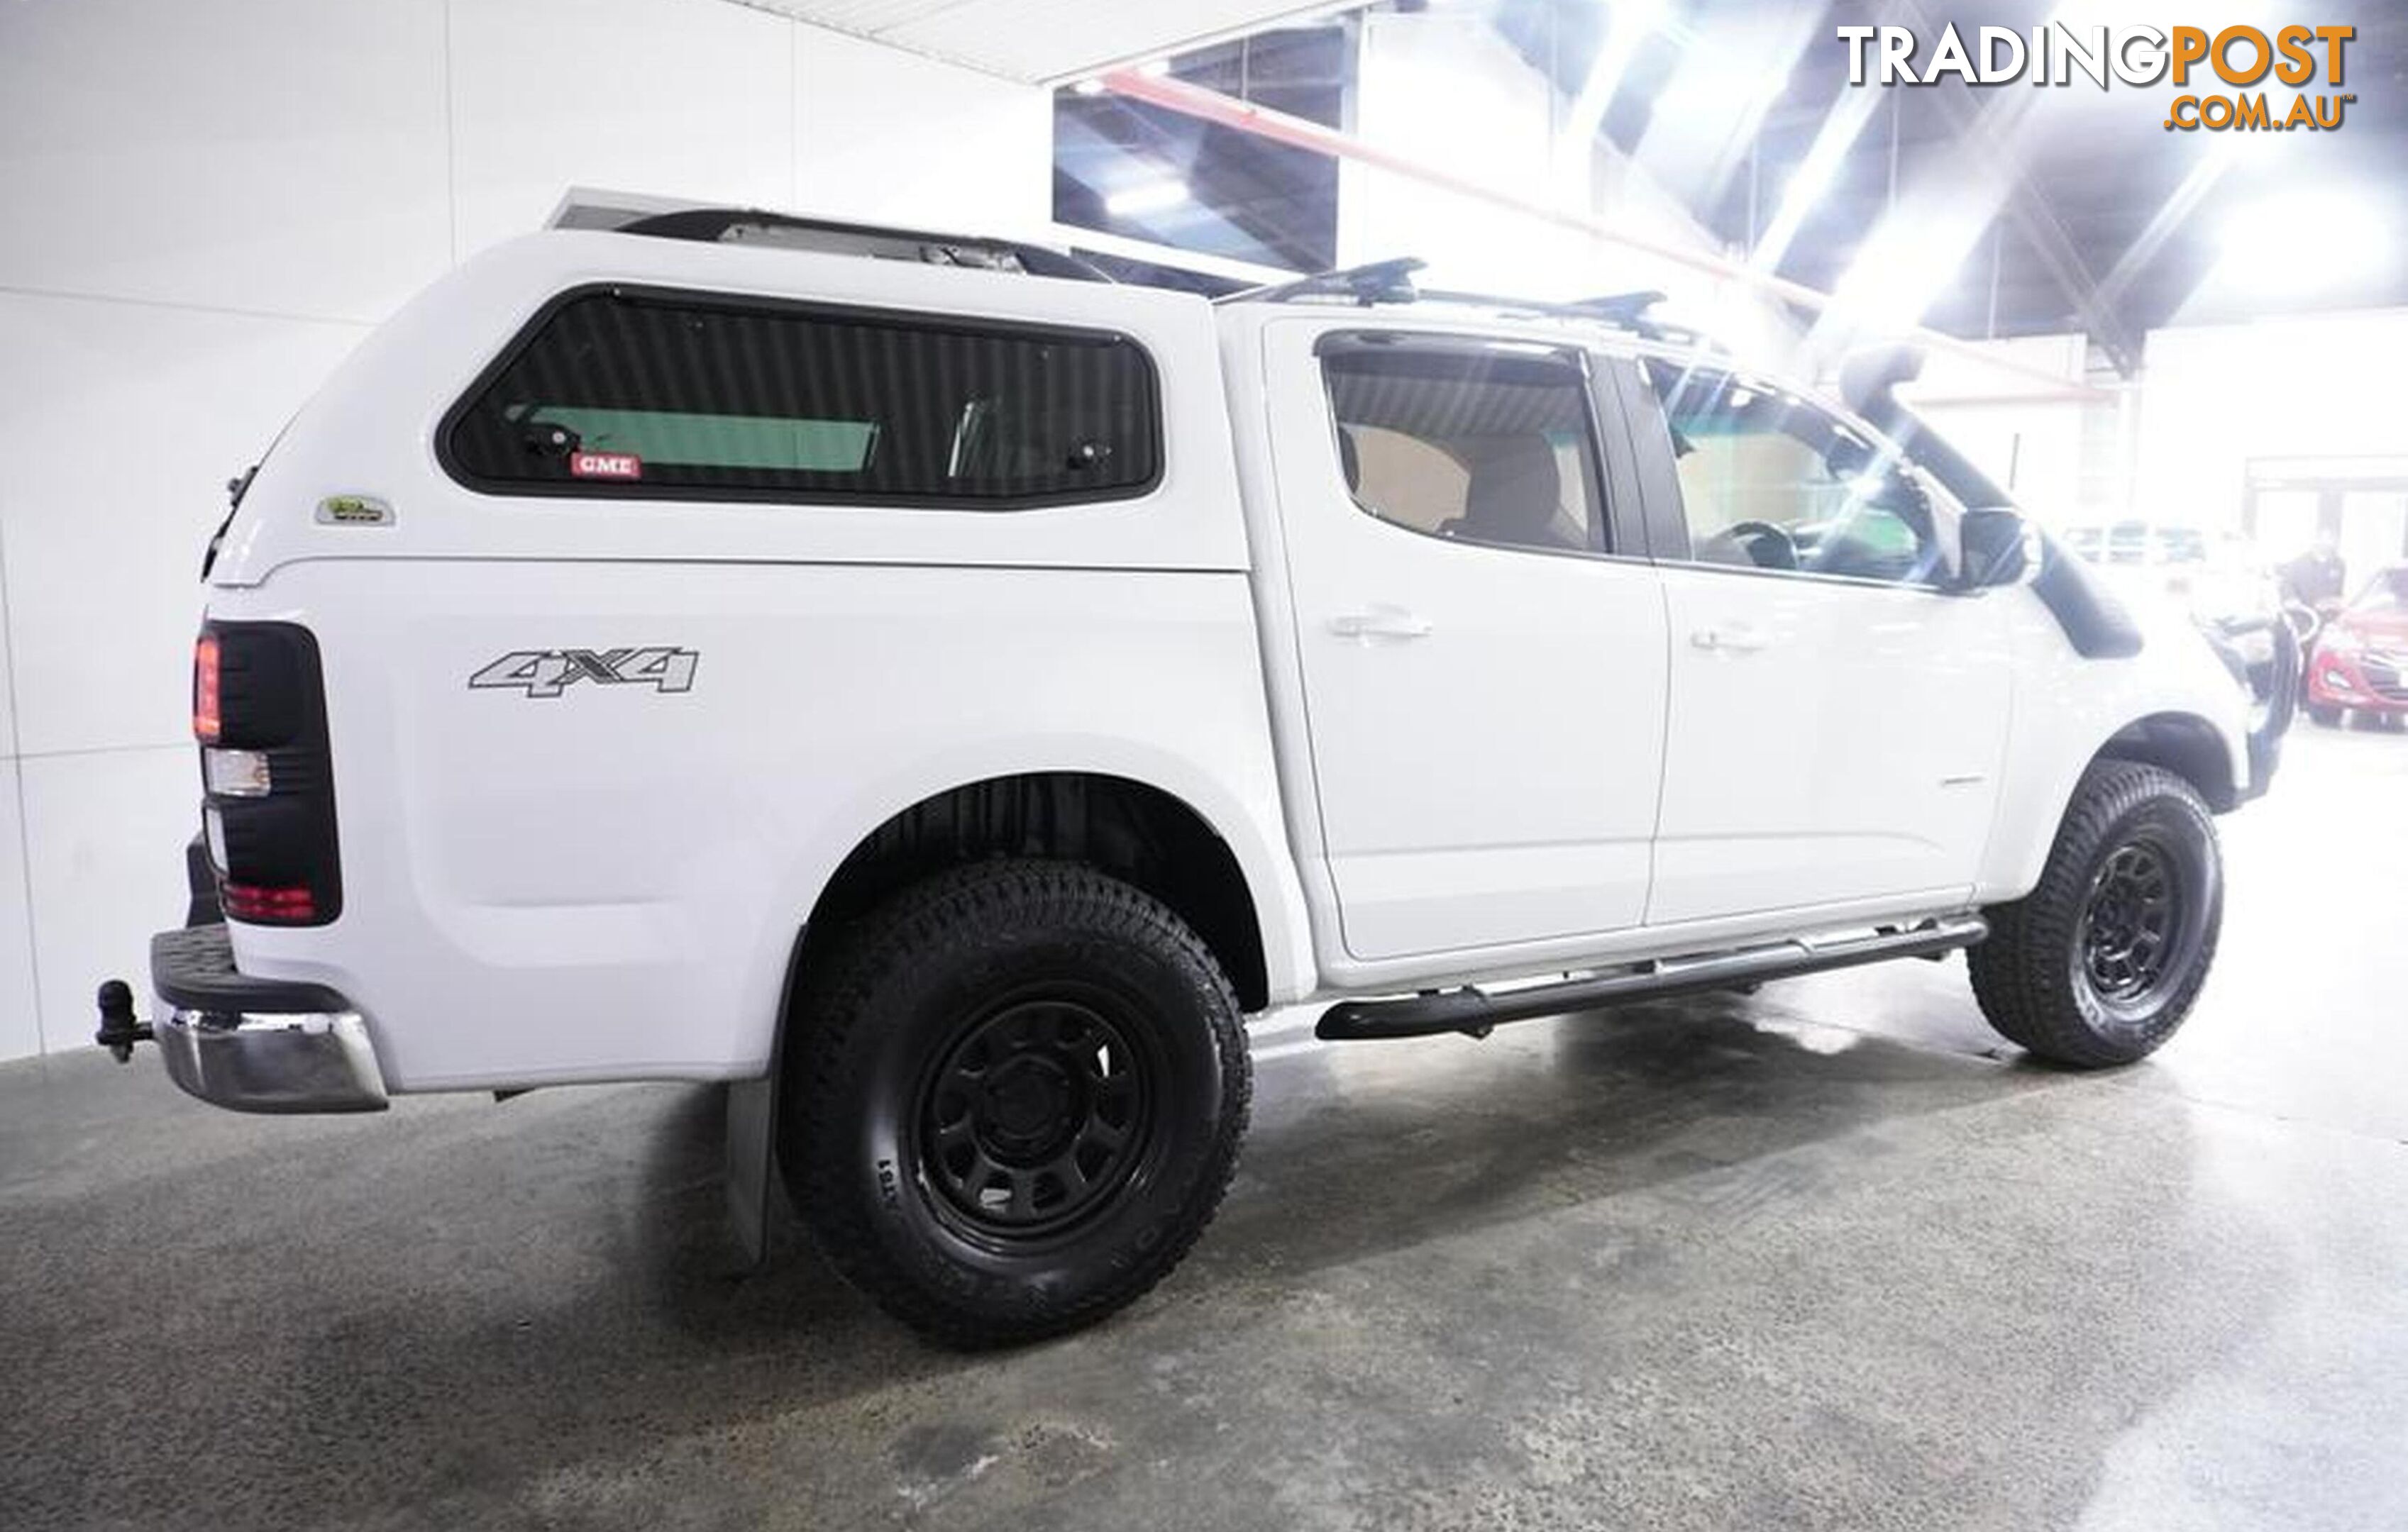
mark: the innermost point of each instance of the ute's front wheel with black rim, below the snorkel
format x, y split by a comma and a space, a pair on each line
2106, 957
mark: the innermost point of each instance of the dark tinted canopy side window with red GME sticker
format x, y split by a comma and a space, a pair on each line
716, 399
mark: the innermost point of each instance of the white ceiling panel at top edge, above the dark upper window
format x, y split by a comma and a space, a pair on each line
1044, 42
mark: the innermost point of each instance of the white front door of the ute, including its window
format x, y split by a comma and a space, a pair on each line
1839, 714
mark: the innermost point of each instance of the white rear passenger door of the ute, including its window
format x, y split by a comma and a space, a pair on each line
1482, 654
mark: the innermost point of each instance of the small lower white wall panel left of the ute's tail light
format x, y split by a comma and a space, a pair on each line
105, 856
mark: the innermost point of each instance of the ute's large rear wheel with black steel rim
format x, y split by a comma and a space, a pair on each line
1013, 1100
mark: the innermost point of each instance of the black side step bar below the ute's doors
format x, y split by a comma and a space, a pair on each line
1477, 1010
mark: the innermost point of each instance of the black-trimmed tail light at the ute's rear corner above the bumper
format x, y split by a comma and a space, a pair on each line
268, 823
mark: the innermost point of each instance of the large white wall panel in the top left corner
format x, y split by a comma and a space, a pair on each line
278, 155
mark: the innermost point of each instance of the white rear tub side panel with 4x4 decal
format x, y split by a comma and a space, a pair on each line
608, 883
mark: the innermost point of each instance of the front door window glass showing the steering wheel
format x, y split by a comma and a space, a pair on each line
1776, 483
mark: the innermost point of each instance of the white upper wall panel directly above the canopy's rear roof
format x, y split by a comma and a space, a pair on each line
661, 98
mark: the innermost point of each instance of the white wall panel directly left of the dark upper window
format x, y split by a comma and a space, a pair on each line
911, 141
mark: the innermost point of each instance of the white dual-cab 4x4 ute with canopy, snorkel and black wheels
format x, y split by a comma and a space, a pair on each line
945, 693
